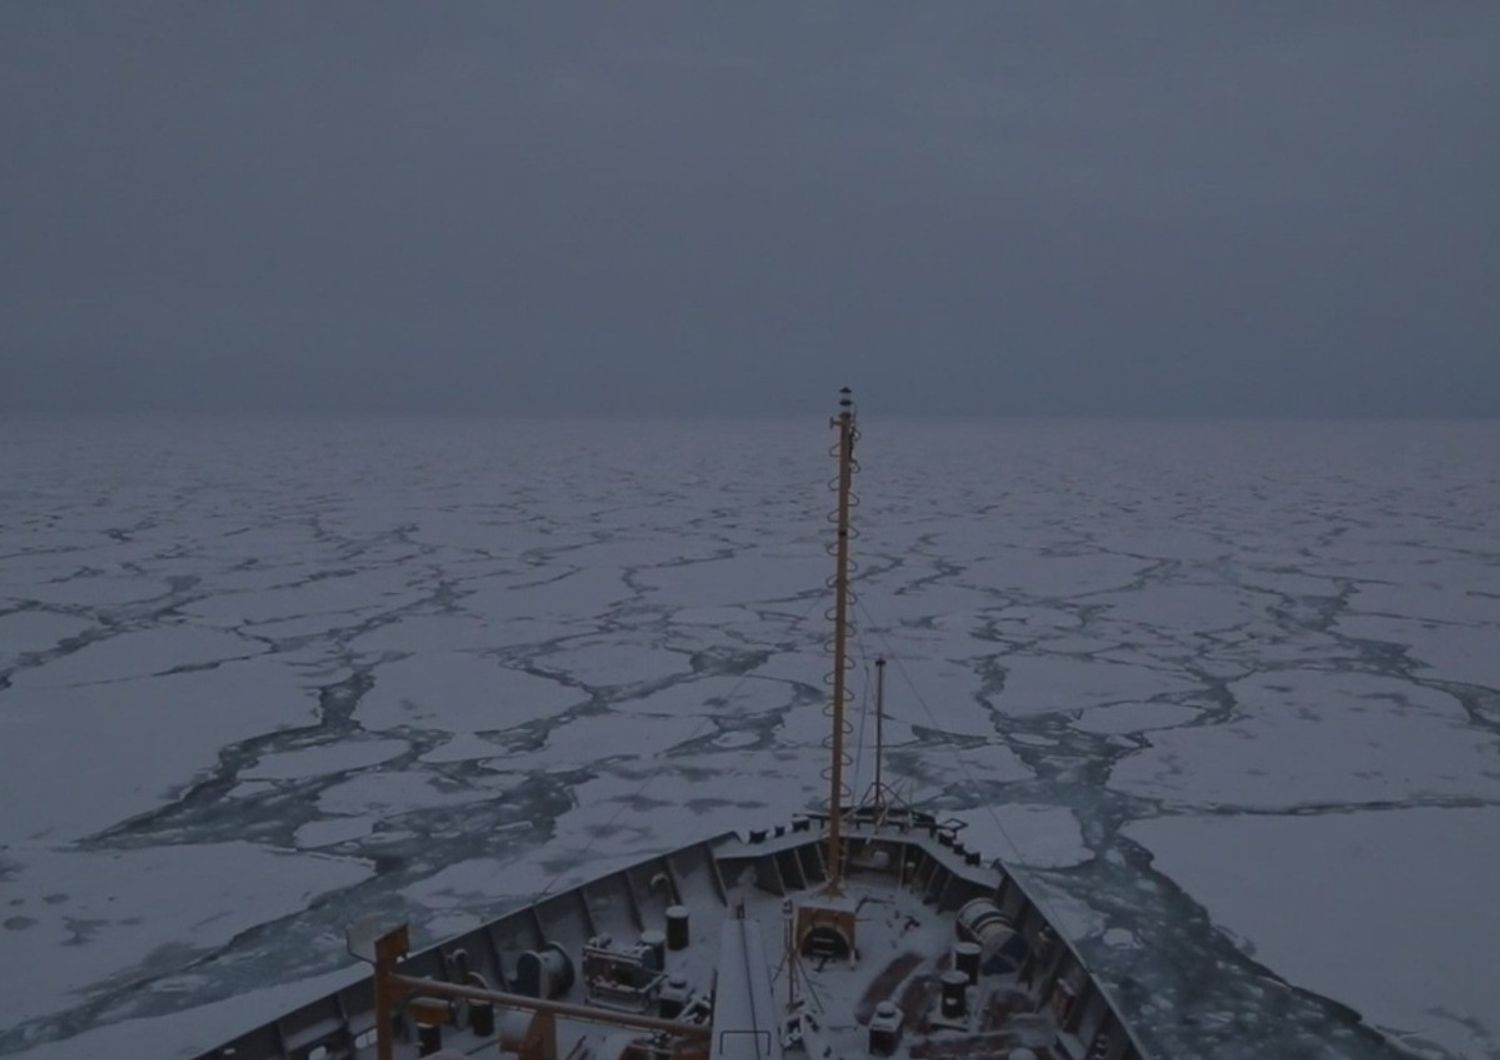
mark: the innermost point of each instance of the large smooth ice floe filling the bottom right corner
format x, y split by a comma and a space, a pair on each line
1384, 911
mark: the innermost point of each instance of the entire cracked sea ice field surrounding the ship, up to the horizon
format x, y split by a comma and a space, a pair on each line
1226, 693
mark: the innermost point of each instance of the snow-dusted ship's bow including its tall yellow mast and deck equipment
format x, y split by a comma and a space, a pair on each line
860, 930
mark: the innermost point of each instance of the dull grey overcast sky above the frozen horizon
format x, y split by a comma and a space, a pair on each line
1126, 209
